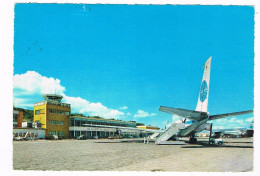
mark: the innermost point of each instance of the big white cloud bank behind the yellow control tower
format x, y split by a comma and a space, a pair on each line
32, 83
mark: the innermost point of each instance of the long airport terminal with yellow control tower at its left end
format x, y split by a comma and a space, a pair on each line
55, 119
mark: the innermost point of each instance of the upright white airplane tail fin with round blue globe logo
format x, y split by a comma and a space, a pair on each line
202, 104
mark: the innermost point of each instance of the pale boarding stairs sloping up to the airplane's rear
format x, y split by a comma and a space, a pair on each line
169, 132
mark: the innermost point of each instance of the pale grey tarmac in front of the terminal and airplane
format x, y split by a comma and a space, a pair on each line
235, 155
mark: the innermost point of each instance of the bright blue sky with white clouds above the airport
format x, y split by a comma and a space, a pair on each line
124, 61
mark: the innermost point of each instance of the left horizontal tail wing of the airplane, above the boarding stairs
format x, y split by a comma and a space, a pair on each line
189, 114
